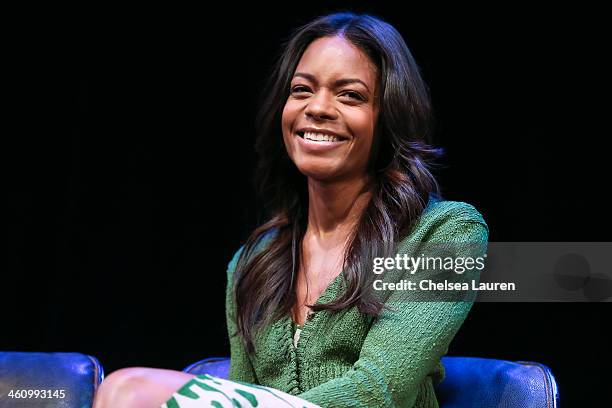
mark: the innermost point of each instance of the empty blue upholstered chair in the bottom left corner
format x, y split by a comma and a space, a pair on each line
63, 380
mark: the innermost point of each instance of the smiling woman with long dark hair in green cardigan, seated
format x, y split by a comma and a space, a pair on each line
348, 182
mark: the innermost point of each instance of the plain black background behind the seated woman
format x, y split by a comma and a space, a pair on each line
129, 168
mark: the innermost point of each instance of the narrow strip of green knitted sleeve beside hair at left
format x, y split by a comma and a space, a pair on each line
241, 368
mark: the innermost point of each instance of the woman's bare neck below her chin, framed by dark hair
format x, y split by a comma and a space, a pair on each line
335, 207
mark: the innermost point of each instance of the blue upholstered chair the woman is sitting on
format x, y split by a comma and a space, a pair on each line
469, 382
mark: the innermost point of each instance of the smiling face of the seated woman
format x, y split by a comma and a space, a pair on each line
329, 118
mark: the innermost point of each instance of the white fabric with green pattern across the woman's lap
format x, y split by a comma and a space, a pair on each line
210, 391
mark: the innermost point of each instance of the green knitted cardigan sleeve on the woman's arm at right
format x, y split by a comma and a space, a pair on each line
404, 346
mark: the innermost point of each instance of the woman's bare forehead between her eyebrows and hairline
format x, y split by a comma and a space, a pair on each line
331, 58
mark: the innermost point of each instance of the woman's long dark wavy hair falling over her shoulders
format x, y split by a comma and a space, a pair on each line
400, 165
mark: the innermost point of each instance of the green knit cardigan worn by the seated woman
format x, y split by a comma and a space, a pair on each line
351, 360
